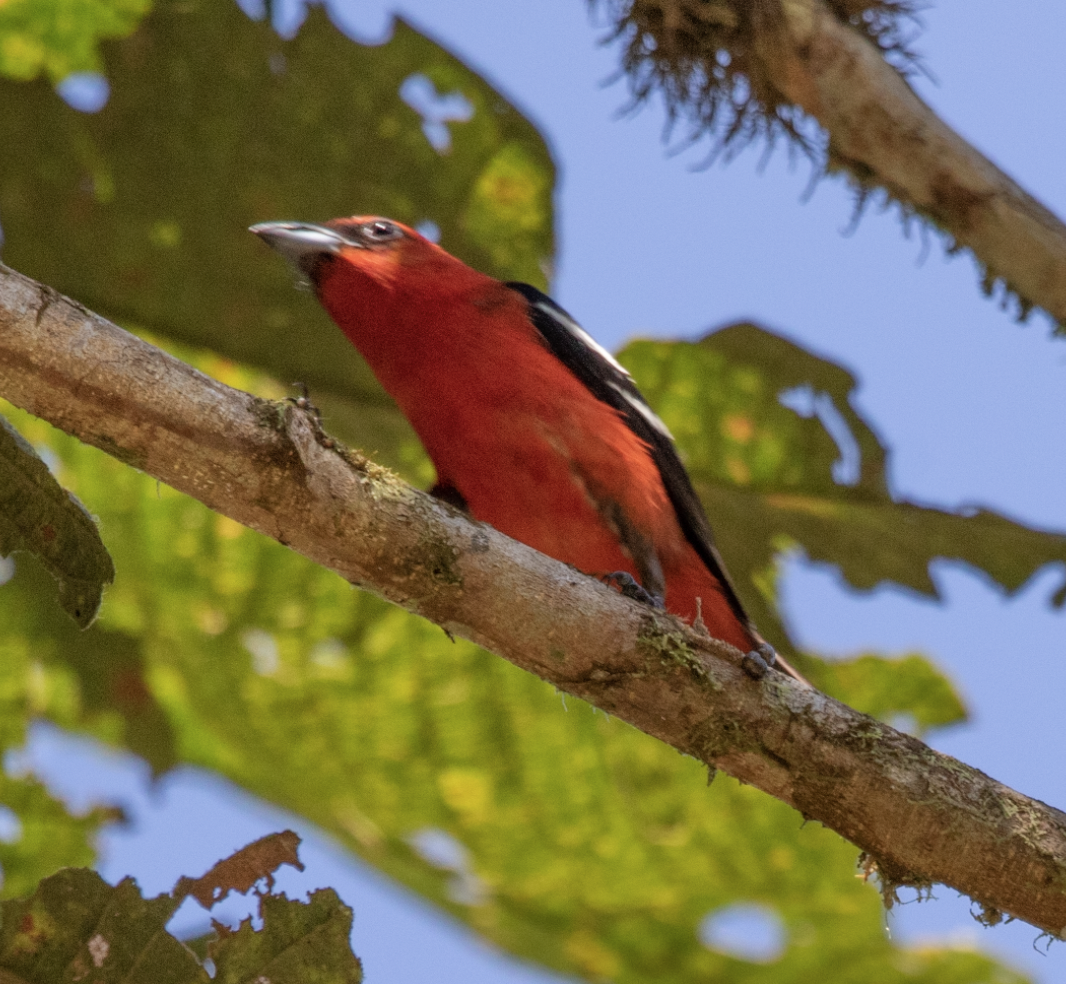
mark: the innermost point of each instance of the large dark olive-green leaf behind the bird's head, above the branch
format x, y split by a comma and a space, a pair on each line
215, 123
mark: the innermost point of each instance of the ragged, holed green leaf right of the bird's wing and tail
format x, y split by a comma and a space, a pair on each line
767, 476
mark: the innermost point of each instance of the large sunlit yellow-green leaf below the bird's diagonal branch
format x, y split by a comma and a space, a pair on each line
582, 844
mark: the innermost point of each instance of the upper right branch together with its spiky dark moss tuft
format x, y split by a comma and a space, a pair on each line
757, 69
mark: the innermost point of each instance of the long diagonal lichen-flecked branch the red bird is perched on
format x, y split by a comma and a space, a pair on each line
920, 816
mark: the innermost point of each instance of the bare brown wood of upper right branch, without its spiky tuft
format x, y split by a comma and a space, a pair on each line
884, 135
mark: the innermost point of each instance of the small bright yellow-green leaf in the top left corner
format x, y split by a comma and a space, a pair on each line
61, 37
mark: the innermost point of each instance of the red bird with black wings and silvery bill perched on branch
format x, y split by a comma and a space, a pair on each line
531, 426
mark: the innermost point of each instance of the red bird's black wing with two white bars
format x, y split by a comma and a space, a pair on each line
609, 382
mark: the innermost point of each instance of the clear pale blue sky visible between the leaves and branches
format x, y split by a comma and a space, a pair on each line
971, 405
